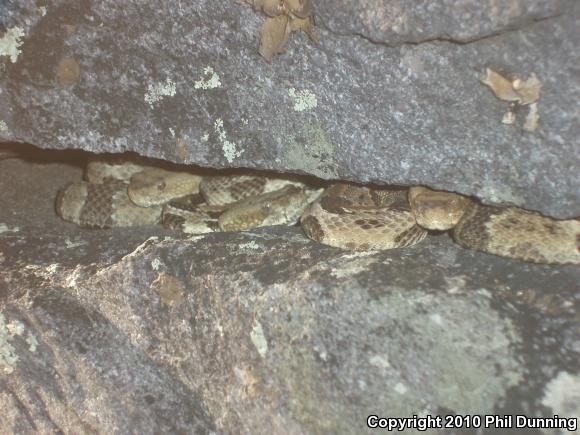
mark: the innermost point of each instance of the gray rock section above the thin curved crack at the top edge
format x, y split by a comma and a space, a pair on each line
411, 21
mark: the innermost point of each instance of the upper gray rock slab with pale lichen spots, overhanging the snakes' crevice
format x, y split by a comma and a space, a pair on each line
389, 95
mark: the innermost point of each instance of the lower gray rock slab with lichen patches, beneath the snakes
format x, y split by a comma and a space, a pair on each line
147, 331
